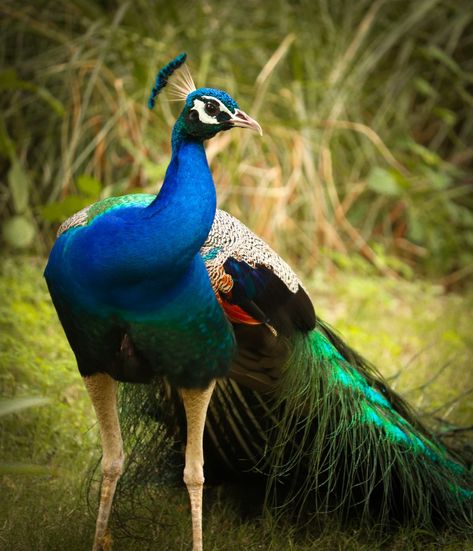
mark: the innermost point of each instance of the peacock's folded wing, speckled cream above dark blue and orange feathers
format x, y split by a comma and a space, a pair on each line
254, 284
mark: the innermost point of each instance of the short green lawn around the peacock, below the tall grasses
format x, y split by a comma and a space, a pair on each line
46, 451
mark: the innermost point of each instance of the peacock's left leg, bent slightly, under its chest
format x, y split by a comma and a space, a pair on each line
103, 393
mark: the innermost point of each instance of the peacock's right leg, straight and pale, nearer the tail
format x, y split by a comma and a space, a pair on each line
195, 403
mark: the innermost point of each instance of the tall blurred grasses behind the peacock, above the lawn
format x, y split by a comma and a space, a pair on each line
366, 108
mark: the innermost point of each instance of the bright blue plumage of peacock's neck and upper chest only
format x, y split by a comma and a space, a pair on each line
138, 257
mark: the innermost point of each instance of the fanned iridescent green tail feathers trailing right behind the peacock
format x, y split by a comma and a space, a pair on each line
340, 445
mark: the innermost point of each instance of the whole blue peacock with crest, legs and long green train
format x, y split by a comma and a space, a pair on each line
169, 291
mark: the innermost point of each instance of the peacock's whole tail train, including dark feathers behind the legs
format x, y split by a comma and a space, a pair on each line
331, 438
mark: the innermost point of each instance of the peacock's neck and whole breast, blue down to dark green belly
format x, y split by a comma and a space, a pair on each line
136, 271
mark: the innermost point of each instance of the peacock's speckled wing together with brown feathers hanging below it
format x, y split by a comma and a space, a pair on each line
262, 297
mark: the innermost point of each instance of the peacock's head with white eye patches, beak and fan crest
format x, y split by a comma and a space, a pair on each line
207, 111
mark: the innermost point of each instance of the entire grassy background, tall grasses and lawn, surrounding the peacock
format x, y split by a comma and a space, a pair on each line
362, 181
